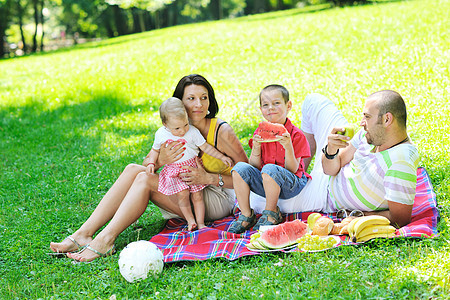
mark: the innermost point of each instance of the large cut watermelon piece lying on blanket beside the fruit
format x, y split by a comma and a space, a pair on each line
283, 235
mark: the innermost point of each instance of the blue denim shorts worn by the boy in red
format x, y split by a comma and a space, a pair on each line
290, 184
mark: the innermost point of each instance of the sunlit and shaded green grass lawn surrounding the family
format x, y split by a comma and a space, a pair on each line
71, 121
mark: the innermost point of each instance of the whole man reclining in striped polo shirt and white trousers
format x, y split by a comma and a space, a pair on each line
374, 172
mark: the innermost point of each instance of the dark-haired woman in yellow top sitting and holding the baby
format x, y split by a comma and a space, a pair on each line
128, 198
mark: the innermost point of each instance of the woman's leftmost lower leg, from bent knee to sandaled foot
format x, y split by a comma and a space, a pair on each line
104, 211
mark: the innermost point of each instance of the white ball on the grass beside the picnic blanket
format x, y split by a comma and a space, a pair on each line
139, 259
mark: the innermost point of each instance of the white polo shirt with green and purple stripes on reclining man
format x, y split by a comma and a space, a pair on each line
370, 180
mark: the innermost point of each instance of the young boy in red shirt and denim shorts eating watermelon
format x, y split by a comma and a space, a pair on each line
276, 169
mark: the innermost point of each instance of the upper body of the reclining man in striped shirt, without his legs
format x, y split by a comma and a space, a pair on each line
376, 171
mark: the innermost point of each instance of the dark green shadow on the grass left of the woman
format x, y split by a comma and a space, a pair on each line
55, 169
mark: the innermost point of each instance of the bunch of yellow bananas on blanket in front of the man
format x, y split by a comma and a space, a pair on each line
362, 229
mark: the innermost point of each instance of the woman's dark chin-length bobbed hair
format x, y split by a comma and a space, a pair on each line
198, 80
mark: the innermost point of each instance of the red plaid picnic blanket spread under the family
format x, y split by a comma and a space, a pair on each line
178, 244
